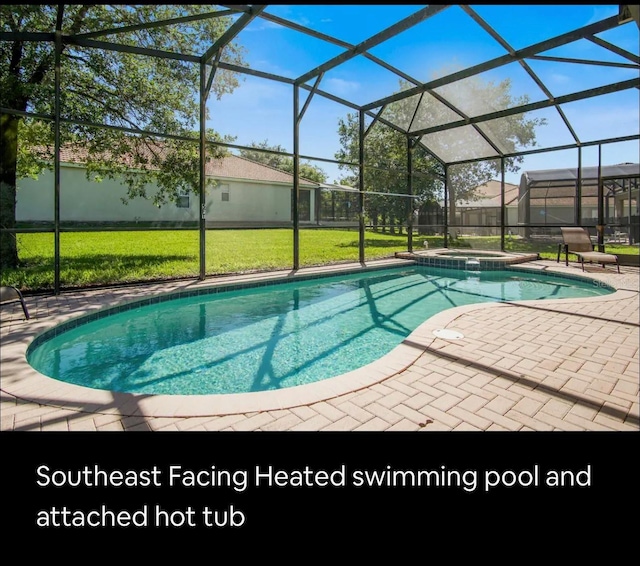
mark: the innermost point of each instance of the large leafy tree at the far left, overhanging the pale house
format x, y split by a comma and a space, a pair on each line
105, 87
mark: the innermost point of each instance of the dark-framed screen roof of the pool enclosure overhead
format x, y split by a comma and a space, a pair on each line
440, 93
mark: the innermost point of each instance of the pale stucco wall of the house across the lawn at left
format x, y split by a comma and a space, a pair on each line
87, 201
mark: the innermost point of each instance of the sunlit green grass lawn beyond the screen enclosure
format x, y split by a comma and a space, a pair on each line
99, 258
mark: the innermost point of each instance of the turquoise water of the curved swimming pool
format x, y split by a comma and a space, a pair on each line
274, 336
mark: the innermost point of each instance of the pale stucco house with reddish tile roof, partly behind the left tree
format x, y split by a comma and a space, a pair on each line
245, 193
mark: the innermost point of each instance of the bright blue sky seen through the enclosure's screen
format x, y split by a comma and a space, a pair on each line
260, 109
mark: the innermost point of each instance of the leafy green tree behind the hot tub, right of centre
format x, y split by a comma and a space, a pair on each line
386, 148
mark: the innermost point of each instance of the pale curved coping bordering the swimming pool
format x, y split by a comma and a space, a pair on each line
22, 381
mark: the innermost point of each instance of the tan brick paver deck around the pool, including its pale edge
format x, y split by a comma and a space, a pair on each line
545, 365
